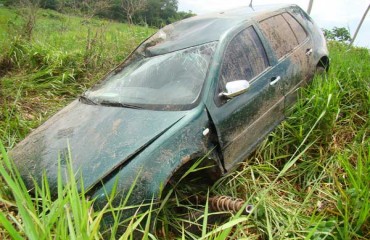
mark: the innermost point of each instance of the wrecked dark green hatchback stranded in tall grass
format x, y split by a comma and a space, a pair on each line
213, 85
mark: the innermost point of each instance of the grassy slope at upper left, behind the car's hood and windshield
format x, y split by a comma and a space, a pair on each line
66, 55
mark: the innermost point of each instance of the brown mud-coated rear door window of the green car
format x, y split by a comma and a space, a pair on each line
279, 34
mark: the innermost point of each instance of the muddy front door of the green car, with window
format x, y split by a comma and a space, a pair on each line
241, 122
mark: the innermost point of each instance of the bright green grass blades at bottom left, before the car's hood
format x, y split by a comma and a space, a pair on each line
69, 216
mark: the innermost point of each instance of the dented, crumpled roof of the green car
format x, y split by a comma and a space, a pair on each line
203, 29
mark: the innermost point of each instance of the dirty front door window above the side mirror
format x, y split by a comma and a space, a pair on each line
244, 58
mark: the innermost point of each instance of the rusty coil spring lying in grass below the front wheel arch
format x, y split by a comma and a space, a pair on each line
225, 203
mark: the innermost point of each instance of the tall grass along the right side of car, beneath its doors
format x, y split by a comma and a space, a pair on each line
310, 178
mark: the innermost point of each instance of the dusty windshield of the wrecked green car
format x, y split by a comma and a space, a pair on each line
171, 79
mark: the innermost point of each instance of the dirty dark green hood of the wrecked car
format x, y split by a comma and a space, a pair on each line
100, 140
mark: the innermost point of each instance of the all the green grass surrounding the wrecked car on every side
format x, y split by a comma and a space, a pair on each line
309, 179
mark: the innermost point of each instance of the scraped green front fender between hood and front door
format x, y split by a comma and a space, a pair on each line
152, 168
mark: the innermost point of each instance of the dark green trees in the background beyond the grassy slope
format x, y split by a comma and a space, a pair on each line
155, 13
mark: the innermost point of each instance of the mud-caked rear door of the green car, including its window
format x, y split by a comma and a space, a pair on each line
293, 50
